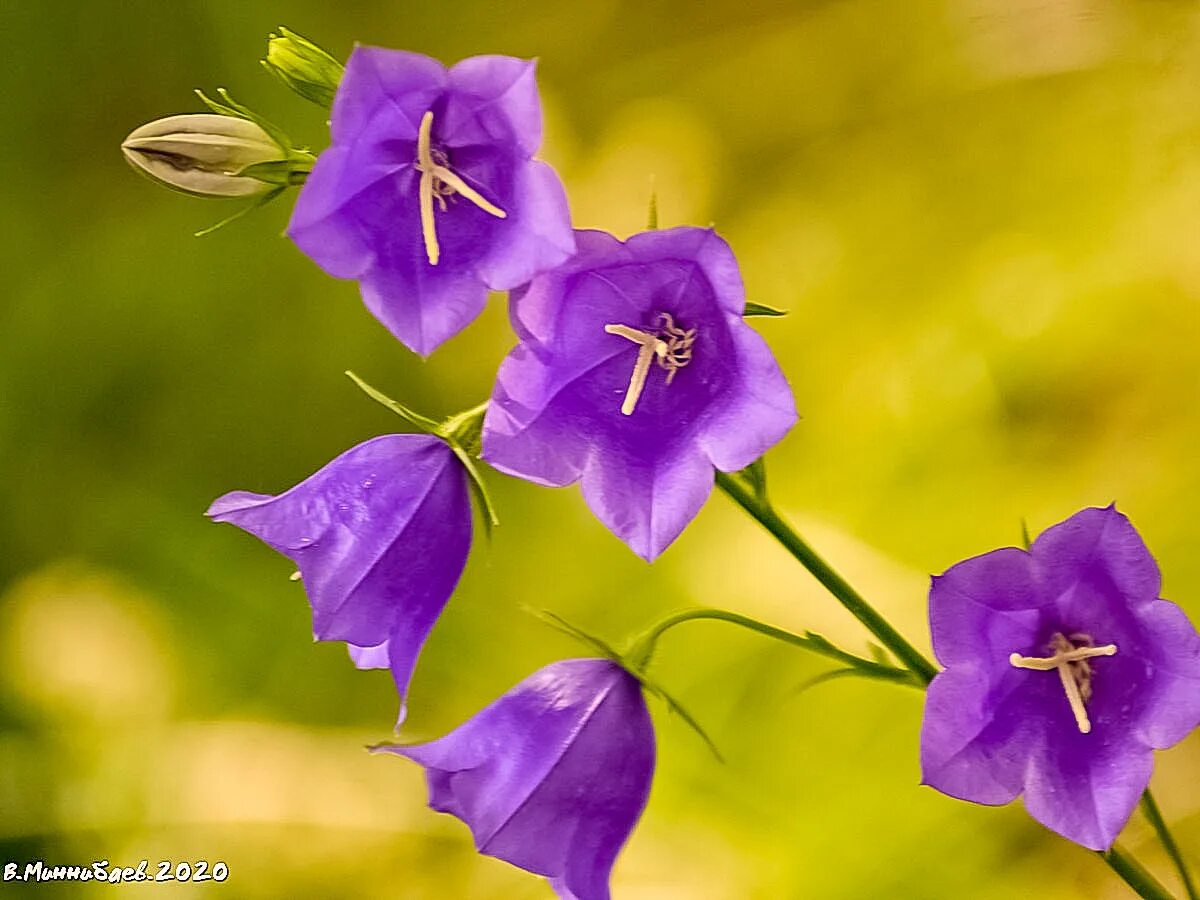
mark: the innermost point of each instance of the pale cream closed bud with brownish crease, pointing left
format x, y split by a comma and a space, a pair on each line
208, 155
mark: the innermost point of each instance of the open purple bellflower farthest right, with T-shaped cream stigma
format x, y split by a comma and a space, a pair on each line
1064, 673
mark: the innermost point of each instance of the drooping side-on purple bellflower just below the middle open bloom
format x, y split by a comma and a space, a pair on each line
381, 537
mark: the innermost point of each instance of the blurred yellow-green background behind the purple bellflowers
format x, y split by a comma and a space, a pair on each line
983, 218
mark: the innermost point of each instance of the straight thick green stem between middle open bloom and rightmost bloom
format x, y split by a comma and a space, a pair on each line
835, 584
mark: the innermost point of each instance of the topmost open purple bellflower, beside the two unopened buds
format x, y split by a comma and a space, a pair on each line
430, 196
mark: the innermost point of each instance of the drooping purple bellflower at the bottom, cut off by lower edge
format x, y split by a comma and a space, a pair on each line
554, 776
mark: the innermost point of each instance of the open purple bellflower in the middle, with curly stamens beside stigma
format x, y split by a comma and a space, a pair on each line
638, 375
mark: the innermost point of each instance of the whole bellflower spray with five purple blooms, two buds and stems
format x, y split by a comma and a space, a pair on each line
637, 376
